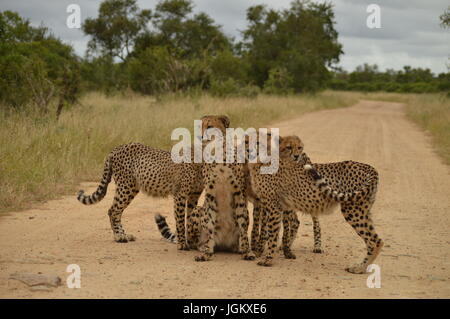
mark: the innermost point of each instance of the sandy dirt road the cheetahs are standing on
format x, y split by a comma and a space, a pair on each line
412, 215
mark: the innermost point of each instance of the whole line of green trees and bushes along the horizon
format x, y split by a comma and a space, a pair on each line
171, 48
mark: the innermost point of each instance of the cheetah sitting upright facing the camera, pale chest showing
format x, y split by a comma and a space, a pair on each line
225, 196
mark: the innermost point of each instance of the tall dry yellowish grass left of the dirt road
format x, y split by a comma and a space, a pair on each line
41, 159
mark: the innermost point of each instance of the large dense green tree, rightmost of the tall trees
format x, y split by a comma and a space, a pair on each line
301, 39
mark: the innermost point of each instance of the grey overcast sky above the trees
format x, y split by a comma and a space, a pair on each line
409, 35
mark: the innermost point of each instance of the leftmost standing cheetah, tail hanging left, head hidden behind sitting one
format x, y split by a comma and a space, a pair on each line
136, 167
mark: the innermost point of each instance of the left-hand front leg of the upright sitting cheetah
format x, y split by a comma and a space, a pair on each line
208, 224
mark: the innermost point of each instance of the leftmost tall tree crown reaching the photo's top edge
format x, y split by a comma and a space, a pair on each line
116, 28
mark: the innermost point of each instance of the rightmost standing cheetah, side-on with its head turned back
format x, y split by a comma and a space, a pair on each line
351, 185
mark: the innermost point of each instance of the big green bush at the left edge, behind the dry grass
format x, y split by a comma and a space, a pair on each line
36, 67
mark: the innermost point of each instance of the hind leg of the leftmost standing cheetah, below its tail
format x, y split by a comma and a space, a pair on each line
123, 197
